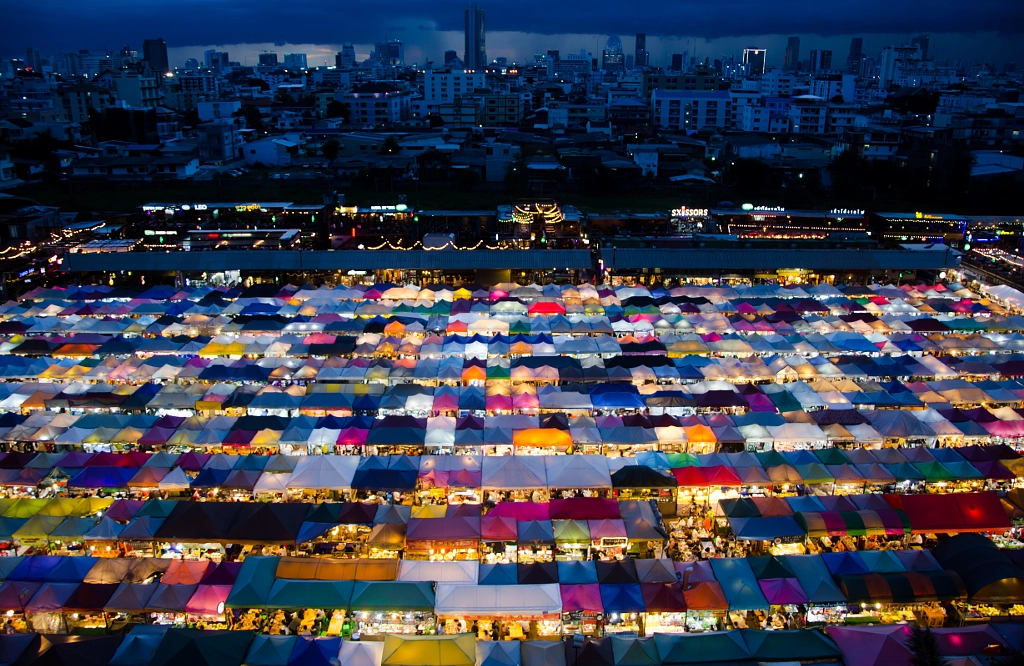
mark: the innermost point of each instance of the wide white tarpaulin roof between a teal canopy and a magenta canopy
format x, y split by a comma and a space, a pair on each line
483, 601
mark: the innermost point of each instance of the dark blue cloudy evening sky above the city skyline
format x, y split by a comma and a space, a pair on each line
982, 30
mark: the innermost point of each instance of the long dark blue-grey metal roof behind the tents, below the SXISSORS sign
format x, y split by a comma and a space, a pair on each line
774, 260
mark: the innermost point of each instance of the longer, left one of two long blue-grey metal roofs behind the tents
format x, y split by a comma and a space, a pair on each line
333, 261
